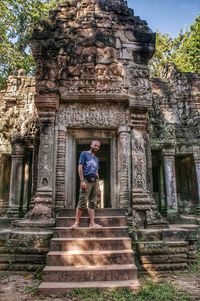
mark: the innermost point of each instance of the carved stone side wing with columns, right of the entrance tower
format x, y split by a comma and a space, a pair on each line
174, 128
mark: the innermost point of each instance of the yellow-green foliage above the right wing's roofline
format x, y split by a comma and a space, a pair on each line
184, 51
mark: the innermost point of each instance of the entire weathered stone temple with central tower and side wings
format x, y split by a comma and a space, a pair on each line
93, 82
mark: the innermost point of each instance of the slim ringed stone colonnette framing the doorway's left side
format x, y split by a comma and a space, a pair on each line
60, 198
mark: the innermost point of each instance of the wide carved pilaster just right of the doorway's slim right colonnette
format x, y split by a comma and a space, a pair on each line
140, 197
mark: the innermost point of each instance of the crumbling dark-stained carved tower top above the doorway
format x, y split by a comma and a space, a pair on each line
87, 55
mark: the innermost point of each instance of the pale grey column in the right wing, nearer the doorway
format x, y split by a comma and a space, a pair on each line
170, 181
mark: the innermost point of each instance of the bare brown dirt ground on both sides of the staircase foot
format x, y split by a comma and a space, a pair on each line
20, 286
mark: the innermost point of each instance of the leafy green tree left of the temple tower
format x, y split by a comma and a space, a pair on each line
17, 20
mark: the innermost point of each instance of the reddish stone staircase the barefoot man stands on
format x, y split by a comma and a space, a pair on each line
90, 258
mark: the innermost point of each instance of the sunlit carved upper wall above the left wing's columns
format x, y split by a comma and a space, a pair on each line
17, 111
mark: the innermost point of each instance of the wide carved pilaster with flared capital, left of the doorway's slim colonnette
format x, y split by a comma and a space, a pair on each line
47, 105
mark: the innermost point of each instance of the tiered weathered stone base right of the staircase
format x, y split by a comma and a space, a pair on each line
169, 249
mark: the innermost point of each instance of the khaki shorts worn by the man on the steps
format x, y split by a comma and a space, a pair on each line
89, 195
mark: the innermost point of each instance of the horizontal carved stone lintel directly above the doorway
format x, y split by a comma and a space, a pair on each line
94, 115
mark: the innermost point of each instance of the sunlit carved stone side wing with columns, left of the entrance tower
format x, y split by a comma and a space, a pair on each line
17, 132
